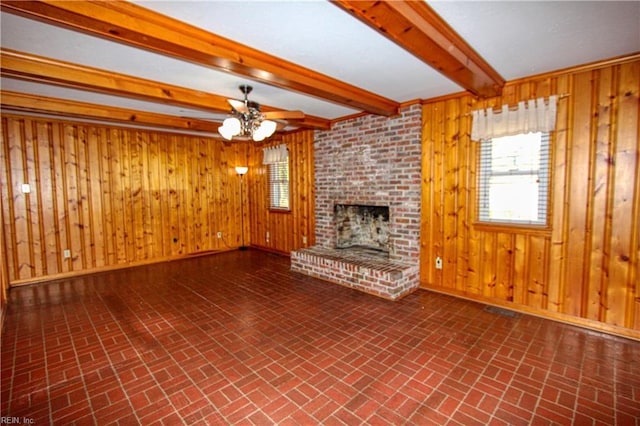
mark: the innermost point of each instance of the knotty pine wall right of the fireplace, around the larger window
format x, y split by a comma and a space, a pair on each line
585, 267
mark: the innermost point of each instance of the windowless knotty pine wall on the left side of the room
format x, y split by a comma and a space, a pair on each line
112, 196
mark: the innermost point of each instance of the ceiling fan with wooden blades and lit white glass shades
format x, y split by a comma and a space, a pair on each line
248, 121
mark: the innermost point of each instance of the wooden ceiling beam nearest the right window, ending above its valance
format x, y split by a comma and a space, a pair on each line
417, 28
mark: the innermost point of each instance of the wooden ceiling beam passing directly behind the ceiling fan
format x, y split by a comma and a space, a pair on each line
39, 69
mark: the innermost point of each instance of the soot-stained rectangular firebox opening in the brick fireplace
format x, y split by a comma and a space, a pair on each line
362, 226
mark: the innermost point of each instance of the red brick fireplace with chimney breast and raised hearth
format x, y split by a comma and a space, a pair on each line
371, 162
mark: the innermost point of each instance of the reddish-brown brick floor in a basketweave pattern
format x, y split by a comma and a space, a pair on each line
237, 338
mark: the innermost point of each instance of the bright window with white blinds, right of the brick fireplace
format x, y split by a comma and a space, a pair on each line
514, 179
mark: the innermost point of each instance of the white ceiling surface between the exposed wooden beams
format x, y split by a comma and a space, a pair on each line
517, 39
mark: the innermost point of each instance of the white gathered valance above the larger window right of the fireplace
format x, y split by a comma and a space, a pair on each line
532, 116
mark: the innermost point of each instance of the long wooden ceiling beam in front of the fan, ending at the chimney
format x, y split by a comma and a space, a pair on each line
136, 26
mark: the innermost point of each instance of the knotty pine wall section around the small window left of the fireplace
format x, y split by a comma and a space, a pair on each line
276, 230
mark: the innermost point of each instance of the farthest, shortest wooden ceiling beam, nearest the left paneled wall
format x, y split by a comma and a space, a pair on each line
47, 105
